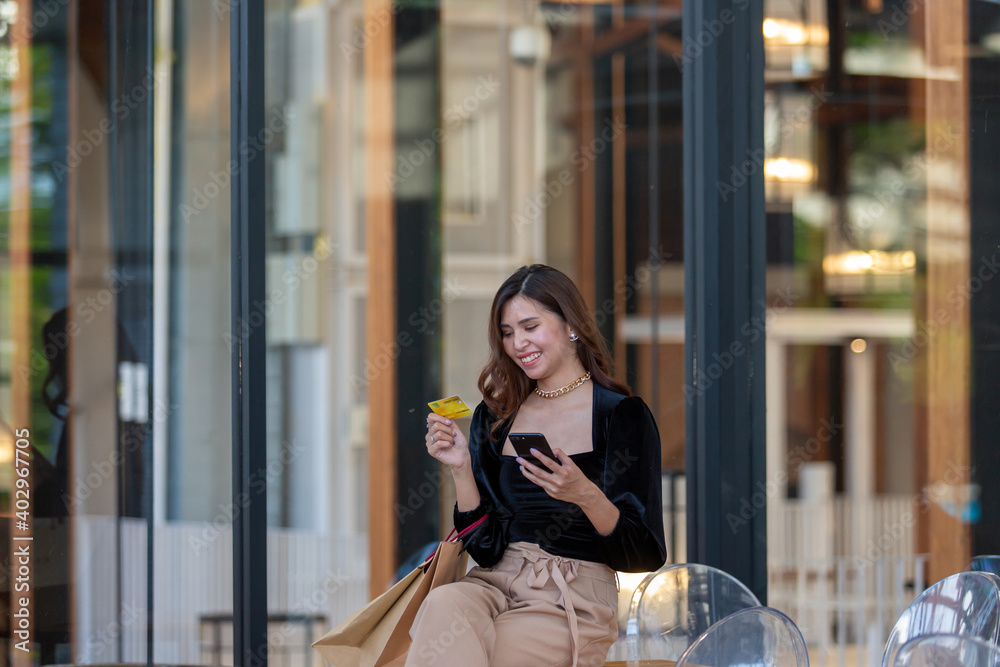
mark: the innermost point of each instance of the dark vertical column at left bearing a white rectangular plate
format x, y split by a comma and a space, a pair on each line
126, 28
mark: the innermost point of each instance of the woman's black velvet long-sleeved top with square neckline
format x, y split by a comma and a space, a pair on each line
625, 464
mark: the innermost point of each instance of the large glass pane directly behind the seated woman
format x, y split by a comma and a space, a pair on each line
519, 134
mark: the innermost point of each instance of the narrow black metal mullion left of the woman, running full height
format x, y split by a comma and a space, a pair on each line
249, 351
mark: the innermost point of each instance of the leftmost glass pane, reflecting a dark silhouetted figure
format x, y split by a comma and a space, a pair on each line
114, 365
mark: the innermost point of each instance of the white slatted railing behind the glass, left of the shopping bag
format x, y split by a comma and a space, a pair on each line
308, 574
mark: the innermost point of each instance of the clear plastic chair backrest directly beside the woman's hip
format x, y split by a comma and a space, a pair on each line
675, 605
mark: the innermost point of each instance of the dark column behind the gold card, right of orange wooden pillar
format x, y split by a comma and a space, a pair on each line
421, 302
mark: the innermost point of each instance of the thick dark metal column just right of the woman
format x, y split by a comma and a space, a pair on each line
724, 253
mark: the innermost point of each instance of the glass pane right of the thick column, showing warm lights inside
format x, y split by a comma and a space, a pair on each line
881, 242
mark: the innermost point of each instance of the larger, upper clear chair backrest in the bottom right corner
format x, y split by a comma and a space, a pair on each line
967, 603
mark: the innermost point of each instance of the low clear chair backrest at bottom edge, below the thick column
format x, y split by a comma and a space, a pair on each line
757, 637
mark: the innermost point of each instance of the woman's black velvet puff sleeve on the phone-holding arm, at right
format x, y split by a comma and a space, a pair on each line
632, 481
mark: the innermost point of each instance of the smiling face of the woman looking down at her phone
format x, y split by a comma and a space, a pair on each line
536, 339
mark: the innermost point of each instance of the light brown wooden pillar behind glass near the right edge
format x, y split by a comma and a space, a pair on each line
943, 372
